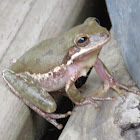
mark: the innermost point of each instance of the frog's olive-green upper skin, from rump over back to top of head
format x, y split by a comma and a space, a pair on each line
52, 52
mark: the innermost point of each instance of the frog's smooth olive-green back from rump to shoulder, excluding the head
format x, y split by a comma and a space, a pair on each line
42, 57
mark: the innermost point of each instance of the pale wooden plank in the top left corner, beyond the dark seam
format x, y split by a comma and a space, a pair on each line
12, 16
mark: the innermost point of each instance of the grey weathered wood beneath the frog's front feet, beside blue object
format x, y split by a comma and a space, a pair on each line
90, 124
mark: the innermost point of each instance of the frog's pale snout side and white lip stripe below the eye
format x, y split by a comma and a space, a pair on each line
96, 43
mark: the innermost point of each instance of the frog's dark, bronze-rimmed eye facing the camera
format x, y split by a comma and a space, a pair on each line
82, 40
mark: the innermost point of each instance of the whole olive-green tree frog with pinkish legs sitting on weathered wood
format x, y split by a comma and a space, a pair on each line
55, 64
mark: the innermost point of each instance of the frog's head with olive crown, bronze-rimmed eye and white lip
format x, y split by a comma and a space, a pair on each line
89, 37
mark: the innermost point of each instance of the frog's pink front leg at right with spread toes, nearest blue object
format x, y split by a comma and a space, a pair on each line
109, 81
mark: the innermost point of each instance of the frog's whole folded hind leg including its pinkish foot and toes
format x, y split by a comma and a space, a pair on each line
33, 96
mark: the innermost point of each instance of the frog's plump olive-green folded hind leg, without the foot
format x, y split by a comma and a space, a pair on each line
29, 92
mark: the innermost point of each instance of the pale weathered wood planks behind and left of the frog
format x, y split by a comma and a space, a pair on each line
24, 23
